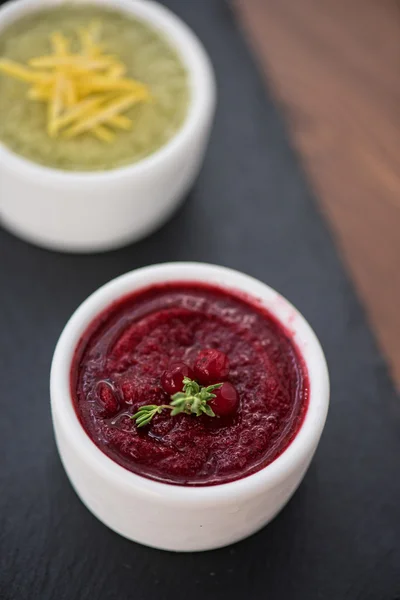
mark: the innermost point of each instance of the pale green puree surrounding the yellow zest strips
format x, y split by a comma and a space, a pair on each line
148, 57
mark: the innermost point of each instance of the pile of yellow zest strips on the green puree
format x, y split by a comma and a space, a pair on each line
85, 92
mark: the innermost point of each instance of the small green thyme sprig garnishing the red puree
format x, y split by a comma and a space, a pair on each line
193, 400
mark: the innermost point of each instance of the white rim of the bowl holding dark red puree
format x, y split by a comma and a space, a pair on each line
295, 457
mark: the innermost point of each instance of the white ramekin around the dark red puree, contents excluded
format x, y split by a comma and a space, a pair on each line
173, 517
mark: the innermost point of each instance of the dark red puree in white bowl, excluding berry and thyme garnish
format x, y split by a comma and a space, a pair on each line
118, 366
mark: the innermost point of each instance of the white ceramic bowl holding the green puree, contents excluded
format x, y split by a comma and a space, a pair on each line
92, 211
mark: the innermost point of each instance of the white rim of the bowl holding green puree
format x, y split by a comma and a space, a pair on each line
190, 50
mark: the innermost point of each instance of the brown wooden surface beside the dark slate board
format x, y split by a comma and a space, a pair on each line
334, 65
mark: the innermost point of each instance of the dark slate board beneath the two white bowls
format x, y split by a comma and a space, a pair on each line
339, 538
